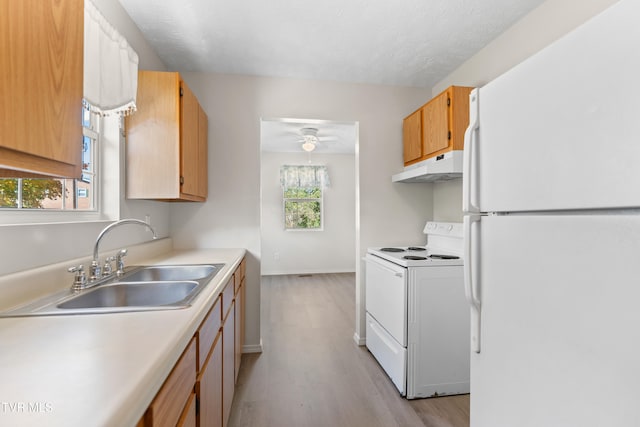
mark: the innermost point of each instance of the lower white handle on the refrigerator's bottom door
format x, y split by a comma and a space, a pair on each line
471, 279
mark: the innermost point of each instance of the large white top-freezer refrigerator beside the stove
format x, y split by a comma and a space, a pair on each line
551, 194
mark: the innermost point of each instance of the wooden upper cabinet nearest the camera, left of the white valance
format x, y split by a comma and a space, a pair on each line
41, 78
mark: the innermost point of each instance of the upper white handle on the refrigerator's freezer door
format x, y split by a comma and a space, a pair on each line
469, 194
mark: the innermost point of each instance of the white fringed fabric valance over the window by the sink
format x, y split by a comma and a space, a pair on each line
110, 66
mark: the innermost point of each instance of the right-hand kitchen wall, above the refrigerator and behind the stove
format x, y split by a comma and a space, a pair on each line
538, 29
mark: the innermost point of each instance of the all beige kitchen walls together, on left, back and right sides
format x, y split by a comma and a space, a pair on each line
386, 213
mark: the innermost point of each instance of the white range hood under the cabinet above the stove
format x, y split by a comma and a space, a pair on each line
439, 168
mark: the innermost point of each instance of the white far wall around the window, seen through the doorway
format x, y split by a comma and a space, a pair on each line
331, 250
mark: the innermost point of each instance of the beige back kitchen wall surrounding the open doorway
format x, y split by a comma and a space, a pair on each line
390, 213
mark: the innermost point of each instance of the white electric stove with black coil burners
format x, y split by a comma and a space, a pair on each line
417, 317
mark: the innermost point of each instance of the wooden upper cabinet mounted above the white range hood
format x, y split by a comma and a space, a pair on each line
438, 126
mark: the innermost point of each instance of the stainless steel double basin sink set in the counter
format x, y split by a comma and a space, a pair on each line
145, 288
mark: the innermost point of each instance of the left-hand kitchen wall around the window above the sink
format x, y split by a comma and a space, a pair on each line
27, 246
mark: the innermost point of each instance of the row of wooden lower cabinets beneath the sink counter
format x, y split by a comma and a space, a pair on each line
199, 391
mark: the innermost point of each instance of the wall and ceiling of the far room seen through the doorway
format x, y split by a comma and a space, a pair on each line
328, 246
